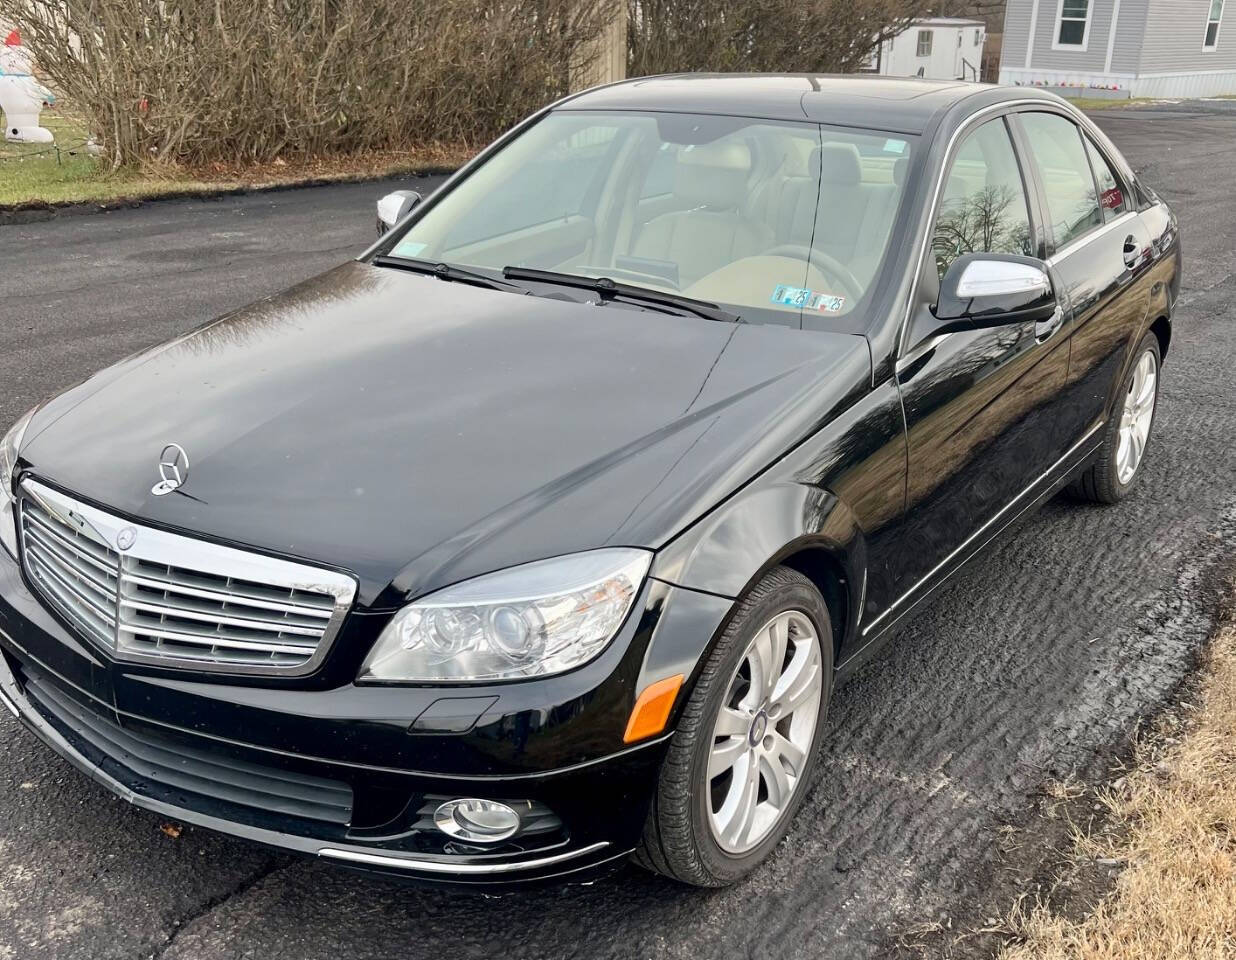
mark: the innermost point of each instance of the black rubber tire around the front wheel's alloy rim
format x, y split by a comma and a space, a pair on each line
798, 596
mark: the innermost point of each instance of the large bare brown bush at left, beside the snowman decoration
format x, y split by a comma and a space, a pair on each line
195, 82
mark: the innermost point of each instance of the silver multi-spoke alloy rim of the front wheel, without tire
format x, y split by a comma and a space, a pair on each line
763, 733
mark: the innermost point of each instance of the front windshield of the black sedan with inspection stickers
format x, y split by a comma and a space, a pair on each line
771, 221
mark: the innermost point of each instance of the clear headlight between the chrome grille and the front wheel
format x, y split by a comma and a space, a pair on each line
531, 621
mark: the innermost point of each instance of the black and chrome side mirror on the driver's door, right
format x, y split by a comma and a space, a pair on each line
994, 290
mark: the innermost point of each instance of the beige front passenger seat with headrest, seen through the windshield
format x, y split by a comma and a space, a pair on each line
711, 182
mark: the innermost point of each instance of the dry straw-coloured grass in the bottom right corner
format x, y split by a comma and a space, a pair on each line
1175, 898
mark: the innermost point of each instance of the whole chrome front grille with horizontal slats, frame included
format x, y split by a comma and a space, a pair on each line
174, 600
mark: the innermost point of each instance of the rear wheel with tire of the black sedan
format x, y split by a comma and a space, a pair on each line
1119, 463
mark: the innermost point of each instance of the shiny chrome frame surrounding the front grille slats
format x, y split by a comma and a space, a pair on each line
191, 555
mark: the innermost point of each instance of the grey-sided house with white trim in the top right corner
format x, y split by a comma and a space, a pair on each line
1123, 48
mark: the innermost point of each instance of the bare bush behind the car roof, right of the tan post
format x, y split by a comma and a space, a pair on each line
808, 36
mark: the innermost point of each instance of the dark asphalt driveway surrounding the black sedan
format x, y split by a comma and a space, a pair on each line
1030, 667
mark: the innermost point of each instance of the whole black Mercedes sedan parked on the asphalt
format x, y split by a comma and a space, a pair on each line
541, 536
